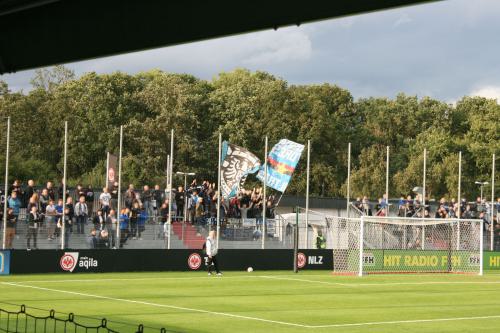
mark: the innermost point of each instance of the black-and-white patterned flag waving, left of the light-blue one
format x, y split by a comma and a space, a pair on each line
237, 163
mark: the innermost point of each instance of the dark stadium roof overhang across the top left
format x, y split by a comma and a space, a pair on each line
36, 33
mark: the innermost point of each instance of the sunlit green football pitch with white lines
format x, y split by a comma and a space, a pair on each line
265, 301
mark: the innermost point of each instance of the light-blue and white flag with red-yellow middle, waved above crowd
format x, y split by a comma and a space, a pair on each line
281, 164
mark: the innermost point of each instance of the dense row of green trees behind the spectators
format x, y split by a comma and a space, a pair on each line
245, 107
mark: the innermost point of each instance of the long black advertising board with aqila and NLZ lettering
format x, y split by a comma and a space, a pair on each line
154, 260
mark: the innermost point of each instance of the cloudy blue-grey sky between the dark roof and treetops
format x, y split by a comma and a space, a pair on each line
445, 50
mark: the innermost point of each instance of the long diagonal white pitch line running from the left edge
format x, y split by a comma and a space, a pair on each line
158, 305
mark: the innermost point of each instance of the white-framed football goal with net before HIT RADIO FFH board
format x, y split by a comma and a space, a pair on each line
378, 245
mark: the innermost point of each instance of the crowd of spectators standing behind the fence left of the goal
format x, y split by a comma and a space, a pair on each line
40, 212
